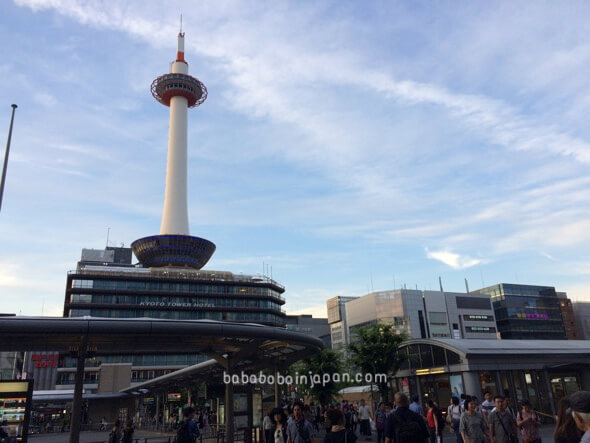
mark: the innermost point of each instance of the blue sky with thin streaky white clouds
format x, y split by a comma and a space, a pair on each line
350, 145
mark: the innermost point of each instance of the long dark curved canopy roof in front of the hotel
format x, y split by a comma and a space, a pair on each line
245, 345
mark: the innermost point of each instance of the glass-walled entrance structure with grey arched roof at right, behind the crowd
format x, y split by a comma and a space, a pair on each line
541, 371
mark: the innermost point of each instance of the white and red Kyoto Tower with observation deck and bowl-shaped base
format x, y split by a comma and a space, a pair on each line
175, 246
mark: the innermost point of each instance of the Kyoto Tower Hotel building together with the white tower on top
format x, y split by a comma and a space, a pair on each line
168, 281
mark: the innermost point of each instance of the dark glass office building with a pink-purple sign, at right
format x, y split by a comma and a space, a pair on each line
526, 311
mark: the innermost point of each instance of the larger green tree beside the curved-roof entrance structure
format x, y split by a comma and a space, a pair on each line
376, 351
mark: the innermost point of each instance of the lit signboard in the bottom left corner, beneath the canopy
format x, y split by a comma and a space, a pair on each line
16, 398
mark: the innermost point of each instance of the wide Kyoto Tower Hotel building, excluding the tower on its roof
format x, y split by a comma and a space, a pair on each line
124, 290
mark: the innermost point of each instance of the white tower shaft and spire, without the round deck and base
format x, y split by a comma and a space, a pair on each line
175, 214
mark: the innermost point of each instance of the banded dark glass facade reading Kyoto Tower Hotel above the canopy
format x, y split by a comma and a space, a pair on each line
111, 295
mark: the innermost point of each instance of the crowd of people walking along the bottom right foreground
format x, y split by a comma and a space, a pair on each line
494, 420
